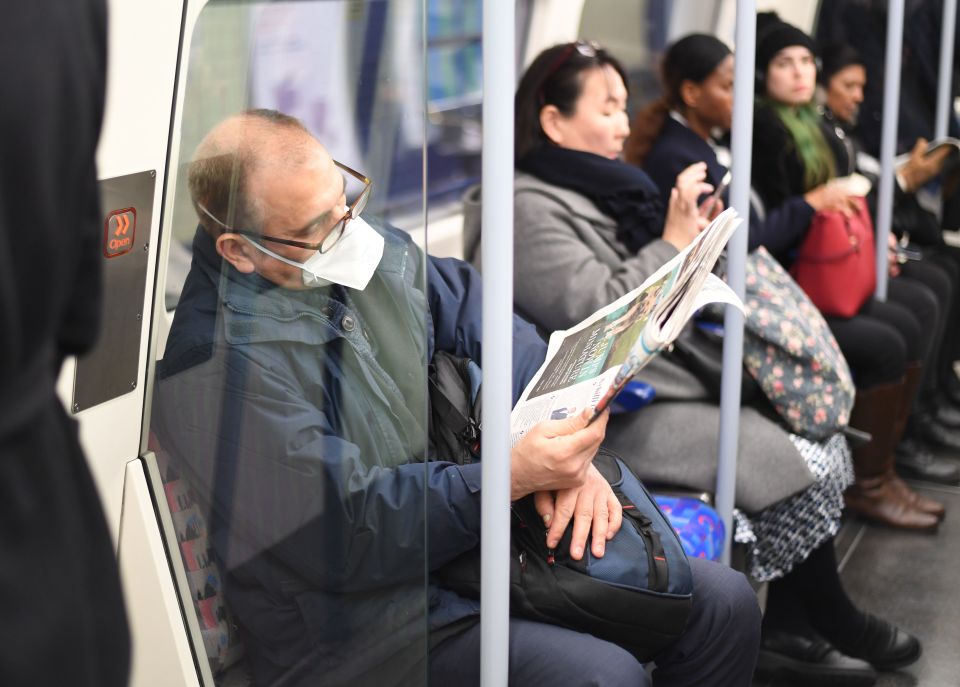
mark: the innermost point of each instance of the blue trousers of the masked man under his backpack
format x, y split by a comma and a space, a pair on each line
718, 648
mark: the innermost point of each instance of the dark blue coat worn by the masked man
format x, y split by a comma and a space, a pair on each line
300, 417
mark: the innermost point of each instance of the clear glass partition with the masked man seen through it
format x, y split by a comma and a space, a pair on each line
288, 415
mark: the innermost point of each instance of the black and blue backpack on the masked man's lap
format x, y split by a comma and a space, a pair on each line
637, 596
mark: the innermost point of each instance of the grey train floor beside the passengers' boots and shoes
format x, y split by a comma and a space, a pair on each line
912, 580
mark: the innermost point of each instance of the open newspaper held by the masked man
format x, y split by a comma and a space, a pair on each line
590, 363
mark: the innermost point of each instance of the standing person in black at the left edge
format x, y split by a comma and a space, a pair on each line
63, 620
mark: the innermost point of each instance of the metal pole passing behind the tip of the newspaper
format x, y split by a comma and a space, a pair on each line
746, 39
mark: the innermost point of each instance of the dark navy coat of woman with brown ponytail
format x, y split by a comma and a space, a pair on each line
780, 229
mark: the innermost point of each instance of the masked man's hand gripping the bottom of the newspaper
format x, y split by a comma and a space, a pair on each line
555, 454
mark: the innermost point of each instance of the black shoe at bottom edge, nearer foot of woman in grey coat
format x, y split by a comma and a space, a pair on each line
801, 660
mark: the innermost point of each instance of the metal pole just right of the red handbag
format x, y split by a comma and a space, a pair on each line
888, 140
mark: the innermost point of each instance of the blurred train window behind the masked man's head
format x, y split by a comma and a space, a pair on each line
367, 105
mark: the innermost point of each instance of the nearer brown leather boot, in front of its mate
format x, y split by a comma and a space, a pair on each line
874, 494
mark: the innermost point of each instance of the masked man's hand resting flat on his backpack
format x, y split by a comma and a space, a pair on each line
592, 507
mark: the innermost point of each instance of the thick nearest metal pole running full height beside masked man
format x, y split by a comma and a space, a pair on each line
497, 256
